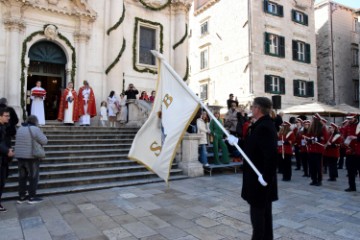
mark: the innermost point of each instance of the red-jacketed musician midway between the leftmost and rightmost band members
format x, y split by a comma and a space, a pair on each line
318, 136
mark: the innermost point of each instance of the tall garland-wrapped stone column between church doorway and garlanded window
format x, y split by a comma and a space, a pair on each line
115, 41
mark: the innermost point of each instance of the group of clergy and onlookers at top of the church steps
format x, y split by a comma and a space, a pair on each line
81, 106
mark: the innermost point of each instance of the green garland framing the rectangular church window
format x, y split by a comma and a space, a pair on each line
137, 20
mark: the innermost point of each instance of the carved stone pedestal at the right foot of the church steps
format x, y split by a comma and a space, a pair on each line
190, 156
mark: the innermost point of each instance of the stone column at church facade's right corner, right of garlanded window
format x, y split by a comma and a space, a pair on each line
180, 13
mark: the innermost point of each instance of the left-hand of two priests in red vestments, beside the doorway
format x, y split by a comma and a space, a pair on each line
68, 109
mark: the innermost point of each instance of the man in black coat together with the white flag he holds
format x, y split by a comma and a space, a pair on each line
175, 106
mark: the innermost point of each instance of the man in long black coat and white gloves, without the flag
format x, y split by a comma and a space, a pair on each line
261, 148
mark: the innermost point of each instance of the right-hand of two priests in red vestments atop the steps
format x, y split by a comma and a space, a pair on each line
87, 105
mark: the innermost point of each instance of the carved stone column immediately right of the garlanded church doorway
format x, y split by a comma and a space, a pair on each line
81, 39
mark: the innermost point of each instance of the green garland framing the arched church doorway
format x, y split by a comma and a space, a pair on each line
23, 52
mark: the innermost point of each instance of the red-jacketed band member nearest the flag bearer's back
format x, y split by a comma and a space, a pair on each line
286, 139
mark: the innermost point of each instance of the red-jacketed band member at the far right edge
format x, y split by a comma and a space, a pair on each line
351, 141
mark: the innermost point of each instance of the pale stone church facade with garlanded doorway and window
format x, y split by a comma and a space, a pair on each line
106, 43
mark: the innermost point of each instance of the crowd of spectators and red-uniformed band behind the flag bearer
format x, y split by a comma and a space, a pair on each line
317, 146
